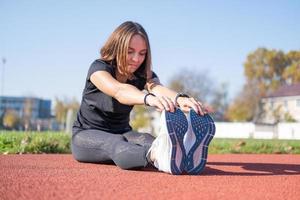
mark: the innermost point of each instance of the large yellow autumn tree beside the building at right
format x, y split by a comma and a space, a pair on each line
265, 71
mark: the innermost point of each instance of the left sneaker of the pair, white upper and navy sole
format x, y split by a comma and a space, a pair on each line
167, 150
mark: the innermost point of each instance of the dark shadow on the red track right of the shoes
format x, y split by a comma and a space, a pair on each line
252, 169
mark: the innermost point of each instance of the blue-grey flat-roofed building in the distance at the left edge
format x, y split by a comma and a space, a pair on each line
35, 108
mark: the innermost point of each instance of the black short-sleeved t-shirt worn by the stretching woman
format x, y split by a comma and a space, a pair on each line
101, 111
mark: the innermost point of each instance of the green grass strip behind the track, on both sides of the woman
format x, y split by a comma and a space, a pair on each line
59, 142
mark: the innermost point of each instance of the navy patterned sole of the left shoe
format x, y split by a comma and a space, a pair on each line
177, 126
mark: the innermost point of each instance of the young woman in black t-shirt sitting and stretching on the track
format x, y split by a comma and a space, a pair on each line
114, 84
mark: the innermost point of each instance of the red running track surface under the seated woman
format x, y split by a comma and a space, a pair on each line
225, 177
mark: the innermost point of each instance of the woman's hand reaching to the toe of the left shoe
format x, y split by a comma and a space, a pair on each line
161, 103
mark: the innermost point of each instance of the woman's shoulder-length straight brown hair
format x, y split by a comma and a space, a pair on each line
116, 47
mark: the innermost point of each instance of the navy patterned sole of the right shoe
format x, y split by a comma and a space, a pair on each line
204, 129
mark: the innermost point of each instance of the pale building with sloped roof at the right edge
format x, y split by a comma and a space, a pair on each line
282, 105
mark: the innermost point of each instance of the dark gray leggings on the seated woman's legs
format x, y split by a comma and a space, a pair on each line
127, 150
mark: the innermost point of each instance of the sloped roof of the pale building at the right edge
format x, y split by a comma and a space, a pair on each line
286, 90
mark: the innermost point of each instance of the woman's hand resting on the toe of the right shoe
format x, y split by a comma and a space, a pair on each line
187, 103
